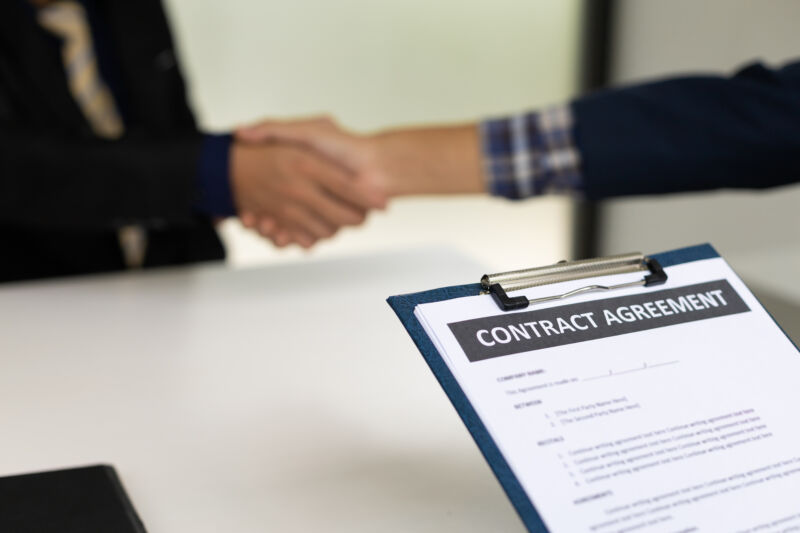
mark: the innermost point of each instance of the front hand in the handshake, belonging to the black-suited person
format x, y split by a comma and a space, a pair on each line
290, 194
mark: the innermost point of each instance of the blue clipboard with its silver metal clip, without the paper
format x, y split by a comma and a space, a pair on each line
499, 286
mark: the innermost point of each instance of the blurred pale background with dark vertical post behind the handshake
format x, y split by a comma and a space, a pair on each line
374, 64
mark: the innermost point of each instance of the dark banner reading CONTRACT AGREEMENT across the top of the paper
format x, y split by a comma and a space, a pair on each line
496, 336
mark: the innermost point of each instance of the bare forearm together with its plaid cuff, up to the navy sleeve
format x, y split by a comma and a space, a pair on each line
515, 157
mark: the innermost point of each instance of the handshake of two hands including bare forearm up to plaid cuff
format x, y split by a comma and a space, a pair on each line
300, 181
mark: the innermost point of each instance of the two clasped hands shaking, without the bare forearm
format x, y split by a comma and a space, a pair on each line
301, 181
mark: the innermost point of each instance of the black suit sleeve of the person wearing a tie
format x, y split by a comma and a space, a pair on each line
59, 181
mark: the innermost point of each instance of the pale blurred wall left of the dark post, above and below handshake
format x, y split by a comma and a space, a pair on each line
377, 63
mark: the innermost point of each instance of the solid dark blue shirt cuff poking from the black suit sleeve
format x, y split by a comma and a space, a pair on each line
215, 197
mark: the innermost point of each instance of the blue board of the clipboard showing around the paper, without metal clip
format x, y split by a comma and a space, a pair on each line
404, 305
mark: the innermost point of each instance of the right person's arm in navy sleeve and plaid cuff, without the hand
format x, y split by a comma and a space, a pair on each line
683, 134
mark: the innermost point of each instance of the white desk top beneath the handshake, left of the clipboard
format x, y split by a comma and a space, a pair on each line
284, 398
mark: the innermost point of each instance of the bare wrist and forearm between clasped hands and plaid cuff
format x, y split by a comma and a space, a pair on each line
436, 160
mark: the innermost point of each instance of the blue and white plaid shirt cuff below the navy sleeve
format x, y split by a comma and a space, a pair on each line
532, 153
